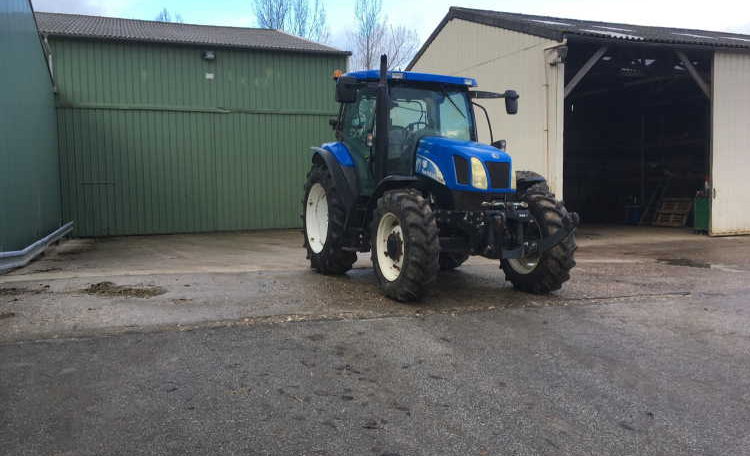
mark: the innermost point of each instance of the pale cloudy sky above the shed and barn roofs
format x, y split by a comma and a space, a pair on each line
424, 15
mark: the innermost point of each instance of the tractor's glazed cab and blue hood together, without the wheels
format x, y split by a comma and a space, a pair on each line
428, 120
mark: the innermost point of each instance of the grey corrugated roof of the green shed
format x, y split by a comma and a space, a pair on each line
118, 29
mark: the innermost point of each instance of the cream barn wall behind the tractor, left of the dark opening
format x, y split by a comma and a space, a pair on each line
502, 59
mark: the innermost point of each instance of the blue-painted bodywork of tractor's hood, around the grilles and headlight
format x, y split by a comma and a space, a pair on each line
441, 150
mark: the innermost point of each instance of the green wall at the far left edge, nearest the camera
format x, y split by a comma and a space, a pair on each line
29, 179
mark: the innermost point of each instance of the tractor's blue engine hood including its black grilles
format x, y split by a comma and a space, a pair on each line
453, 158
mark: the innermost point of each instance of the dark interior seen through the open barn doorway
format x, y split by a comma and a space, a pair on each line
636, 131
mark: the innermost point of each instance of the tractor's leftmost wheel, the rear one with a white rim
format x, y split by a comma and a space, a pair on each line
323, 216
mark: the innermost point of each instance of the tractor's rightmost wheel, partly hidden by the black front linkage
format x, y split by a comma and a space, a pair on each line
545, 272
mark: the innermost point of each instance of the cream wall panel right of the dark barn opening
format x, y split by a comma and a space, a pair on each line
730, 162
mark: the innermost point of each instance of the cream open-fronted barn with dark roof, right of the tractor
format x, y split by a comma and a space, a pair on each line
620, 118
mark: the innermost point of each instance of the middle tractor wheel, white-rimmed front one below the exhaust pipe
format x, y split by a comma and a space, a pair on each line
405, 244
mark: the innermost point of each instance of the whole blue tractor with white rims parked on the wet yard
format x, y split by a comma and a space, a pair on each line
408, 181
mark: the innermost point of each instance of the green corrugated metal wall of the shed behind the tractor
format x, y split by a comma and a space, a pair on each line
154, 139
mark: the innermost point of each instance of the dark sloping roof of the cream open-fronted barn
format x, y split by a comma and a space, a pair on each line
556, 28
